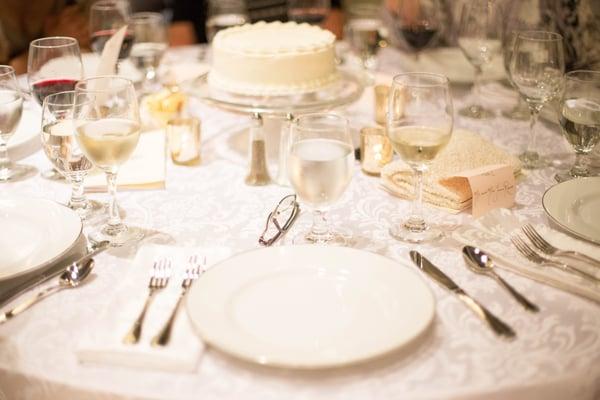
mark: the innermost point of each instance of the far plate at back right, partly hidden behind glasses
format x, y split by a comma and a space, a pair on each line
450, 61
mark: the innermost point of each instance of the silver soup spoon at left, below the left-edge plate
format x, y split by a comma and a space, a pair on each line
72, 277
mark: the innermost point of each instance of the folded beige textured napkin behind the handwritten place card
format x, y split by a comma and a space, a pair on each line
465, 151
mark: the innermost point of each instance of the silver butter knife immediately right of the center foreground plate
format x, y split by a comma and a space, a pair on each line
498, 326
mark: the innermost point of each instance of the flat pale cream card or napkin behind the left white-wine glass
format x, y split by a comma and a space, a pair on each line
146, 169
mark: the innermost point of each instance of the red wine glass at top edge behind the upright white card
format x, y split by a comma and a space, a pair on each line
106, 18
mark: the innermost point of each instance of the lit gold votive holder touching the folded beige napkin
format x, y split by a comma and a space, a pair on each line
375, 149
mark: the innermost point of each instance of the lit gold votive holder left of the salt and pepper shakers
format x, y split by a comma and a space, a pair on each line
183, 135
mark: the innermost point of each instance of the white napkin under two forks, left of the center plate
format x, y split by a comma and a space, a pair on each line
102, 344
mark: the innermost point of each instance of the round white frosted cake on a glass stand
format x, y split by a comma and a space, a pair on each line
273, 59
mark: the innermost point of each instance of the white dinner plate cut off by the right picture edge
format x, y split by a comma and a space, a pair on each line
575, 206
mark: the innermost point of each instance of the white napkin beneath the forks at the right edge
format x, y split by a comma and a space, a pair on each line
492, 233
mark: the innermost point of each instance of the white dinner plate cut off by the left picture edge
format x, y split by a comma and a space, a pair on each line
35, 233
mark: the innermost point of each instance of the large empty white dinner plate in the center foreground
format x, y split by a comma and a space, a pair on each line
309, 306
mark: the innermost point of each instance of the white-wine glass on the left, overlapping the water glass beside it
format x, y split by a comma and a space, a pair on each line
107, 124
